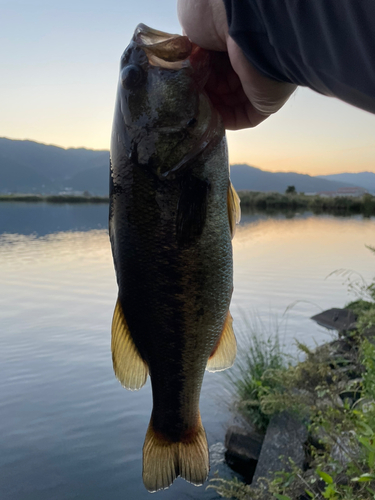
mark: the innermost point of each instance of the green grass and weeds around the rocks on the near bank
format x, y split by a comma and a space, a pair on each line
333, 390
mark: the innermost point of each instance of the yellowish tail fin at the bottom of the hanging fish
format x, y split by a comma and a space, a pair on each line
164, 460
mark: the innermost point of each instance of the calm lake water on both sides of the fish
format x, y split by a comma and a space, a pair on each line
68, 430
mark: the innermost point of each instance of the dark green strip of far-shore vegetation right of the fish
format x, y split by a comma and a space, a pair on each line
274, 202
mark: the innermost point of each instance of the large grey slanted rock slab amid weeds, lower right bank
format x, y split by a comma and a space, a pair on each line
284, 440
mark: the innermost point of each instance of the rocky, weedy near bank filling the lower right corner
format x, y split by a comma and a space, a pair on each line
315, 418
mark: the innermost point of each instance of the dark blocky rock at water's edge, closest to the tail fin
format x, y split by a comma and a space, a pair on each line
243, 450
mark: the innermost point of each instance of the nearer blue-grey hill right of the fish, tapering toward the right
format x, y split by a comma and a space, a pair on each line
255, 179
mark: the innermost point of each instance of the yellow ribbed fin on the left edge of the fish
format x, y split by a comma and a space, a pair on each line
128, 365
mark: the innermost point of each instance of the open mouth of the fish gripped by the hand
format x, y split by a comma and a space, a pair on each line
165, 50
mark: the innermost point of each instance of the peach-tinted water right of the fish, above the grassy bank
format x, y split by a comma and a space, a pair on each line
280, 262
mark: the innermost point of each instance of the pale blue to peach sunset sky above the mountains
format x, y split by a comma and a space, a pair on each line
58, 76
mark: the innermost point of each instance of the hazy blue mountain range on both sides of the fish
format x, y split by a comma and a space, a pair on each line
31, 167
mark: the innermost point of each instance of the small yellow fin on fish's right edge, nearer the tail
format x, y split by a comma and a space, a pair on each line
225, 351
